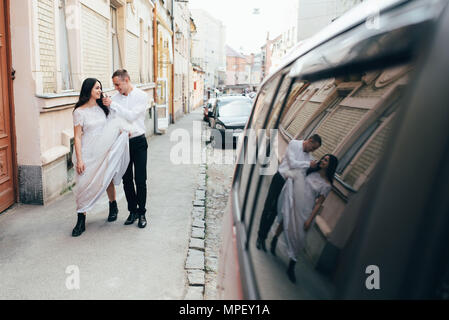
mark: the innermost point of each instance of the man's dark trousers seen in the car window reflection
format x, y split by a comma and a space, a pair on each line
270, 208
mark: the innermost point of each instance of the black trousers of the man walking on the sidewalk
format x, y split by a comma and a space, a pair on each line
137, 196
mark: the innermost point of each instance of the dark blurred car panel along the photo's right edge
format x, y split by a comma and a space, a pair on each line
407, 207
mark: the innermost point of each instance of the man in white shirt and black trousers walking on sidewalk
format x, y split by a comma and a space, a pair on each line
131, 103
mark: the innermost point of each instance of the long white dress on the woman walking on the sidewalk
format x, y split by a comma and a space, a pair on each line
105, 152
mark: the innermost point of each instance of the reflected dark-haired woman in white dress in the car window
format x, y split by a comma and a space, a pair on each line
298, 204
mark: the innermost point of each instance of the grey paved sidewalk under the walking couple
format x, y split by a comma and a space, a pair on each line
114, 261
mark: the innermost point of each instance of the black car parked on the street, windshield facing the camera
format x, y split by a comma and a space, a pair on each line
228, 120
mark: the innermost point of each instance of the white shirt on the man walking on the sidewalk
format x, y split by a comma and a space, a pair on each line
132, 108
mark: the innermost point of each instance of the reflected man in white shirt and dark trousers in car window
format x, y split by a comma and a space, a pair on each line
297, 156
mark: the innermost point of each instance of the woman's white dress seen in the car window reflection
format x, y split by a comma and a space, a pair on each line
295, 205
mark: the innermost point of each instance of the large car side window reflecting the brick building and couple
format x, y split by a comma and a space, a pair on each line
354, 116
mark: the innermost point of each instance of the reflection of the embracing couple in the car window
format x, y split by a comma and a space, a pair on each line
295, 195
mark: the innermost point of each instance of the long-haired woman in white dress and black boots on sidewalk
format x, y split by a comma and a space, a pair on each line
101, 152
